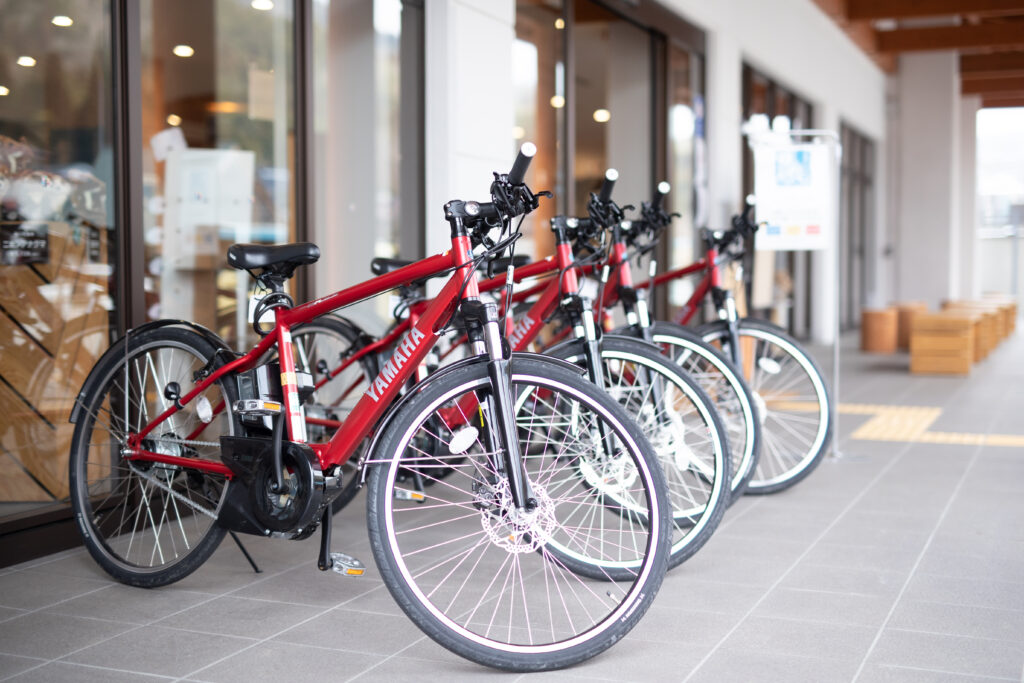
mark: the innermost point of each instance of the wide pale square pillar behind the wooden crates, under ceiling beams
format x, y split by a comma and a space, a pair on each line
928, 218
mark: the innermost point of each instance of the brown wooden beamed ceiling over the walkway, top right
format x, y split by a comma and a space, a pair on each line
988, 34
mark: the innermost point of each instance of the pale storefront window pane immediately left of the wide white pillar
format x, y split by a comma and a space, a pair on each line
368, 149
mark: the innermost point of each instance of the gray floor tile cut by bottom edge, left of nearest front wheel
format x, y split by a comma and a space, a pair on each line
280, 662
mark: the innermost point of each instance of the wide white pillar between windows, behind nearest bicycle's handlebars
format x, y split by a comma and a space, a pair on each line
470, 119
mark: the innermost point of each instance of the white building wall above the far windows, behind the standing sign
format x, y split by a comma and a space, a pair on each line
796, 44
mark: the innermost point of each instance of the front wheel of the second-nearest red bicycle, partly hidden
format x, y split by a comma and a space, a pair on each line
680, 421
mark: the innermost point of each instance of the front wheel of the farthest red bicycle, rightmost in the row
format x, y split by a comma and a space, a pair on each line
793, 402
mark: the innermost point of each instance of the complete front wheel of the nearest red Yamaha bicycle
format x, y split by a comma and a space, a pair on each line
492, 582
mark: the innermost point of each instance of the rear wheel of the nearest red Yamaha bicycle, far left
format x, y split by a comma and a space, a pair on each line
148, 524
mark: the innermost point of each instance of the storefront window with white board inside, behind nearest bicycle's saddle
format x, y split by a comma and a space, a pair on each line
219, 152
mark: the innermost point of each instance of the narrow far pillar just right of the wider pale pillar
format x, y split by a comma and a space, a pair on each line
968, 287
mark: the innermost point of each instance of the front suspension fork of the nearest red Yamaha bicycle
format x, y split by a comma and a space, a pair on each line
485, 334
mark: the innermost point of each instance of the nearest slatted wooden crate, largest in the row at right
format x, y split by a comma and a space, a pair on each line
944, 344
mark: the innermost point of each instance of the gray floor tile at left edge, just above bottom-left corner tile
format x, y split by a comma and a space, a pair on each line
53, 636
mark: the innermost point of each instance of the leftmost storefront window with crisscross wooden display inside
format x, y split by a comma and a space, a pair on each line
57, 234
